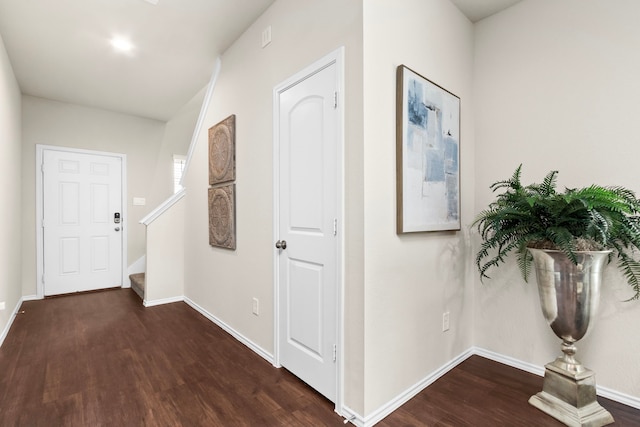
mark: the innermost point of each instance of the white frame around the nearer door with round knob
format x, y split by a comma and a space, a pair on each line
336, 57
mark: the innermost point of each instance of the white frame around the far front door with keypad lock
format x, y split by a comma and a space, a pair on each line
40, 149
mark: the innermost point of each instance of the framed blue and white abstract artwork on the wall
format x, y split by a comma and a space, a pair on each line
429, 181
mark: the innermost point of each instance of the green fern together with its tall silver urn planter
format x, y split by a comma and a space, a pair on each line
569, 237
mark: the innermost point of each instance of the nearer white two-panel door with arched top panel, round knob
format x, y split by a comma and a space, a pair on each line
308, 188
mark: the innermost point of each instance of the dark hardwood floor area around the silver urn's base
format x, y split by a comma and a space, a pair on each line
481, 392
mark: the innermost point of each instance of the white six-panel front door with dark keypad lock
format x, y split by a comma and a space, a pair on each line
82, 221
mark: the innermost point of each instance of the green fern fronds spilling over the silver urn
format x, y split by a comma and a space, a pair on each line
593, 218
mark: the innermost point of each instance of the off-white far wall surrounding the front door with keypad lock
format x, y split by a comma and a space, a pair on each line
61, 124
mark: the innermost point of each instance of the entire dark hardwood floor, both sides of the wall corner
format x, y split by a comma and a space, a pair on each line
102, 359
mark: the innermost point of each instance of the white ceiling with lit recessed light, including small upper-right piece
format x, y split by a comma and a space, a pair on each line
60, 50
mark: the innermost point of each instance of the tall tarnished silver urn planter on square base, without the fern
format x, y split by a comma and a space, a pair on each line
569, 297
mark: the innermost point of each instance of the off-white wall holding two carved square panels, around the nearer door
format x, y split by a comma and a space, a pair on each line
224, 282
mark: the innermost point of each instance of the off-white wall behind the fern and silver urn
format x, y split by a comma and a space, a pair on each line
557, 88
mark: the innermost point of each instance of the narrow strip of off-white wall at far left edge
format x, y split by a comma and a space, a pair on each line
10, 215
